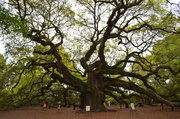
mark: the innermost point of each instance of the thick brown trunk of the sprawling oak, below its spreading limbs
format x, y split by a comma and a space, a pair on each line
94, 95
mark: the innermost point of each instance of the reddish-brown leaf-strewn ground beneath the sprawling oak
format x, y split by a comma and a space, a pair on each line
145, 112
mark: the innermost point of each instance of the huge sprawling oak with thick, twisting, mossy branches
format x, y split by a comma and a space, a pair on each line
105, 39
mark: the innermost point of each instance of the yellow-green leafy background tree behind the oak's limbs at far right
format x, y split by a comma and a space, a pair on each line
166, 52
